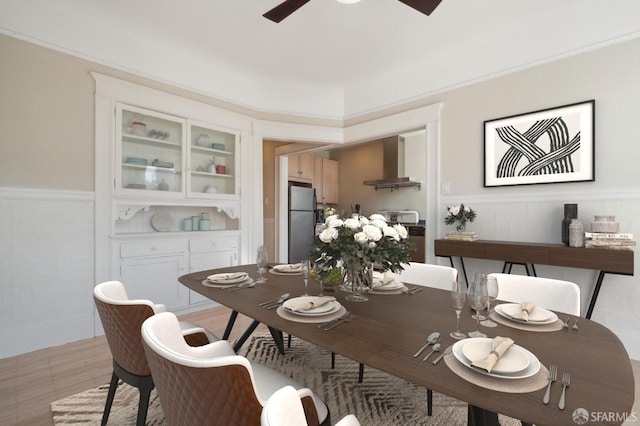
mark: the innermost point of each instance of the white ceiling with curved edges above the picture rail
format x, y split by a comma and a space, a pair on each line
327, 60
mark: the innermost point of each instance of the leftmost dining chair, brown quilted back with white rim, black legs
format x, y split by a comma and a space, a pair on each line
121, 319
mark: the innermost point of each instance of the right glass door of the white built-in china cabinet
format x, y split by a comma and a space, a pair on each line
213, 162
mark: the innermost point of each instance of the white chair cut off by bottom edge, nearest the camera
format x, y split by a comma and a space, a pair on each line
284, 408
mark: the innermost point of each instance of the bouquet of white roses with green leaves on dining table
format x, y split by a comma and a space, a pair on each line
360, 242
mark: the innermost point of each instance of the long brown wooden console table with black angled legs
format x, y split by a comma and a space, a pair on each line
513, 252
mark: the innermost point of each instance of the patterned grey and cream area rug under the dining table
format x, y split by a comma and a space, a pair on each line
380, 399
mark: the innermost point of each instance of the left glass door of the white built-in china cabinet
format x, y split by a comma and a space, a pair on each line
149, 152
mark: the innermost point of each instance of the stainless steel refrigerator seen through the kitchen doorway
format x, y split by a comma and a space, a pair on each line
302, 204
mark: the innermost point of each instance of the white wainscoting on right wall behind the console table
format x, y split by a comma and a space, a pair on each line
537, 218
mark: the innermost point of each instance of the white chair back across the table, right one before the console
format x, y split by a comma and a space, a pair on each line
556, 295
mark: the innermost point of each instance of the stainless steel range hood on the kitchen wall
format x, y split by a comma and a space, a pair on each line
393, 166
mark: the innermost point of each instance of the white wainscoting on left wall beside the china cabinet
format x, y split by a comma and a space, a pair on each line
46, 268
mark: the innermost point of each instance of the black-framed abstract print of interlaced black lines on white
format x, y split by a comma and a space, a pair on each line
547, 146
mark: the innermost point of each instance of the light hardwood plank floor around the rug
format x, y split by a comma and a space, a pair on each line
30, 382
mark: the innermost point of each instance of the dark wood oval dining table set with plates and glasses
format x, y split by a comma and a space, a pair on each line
388, 329
